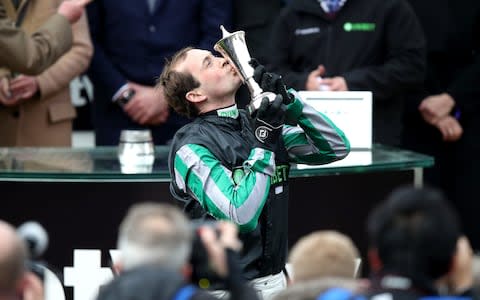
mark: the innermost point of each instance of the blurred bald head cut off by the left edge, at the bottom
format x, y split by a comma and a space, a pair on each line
13, 256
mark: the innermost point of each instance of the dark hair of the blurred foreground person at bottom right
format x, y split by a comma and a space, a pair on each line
415, 232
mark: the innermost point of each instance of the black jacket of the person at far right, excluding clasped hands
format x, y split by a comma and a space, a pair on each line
453, 59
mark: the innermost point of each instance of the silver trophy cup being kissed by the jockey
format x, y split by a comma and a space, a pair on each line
232, 47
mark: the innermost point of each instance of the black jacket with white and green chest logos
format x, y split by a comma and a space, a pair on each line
376, 45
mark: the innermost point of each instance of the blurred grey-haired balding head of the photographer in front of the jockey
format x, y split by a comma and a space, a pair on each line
154, 234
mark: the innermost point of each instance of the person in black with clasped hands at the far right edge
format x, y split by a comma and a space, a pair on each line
442, 120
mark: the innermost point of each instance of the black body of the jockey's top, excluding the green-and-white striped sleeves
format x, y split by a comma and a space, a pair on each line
231, 140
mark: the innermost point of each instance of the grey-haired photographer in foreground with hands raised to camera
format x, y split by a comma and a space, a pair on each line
155, 244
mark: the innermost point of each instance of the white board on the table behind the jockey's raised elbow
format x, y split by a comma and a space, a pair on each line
350, 111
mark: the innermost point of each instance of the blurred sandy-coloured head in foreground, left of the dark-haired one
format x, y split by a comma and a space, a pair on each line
321, 254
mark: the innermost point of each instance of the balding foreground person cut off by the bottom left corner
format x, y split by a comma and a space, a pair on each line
15, 281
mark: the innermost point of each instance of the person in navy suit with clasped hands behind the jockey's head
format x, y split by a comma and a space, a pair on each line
131, 43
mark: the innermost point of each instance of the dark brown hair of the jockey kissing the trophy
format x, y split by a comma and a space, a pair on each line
177, 84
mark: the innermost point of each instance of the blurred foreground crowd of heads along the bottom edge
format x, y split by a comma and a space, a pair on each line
416, 251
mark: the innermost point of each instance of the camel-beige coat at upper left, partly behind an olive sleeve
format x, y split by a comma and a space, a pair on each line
46, 120
